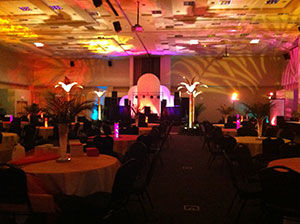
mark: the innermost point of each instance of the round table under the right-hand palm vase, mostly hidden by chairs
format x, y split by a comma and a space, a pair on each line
254, 143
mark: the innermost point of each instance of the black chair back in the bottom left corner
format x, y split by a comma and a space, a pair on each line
13, 187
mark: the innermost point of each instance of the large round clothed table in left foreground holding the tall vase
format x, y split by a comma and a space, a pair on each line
81, 176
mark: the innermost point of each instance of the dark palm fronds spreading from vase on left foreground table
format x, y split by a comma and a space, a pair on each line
63, 110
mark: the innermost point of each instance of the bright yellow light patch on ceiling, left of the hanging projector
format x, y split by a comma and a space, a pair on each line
108, 44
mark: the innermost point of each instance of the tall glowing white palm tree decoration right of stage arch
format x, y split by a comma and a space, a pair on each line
191, 89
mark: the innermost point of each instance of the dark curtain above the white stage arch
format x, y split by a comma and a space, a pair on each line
146, 65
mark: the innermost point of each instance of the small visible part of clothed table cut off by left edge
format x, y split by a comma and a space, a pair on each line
9, 140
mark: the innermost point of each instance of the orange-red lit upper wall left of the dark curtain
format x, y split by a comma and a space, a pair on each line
87, 72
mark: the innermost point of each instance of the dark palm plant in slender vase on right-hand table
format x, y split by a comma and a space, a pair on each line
260, 111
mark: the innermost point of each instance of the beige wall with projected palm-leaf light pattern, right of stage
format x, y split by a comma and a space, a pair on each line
252, 77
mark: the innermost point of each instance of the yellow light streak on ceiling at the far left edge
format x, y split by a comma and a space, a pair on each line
15, 30
